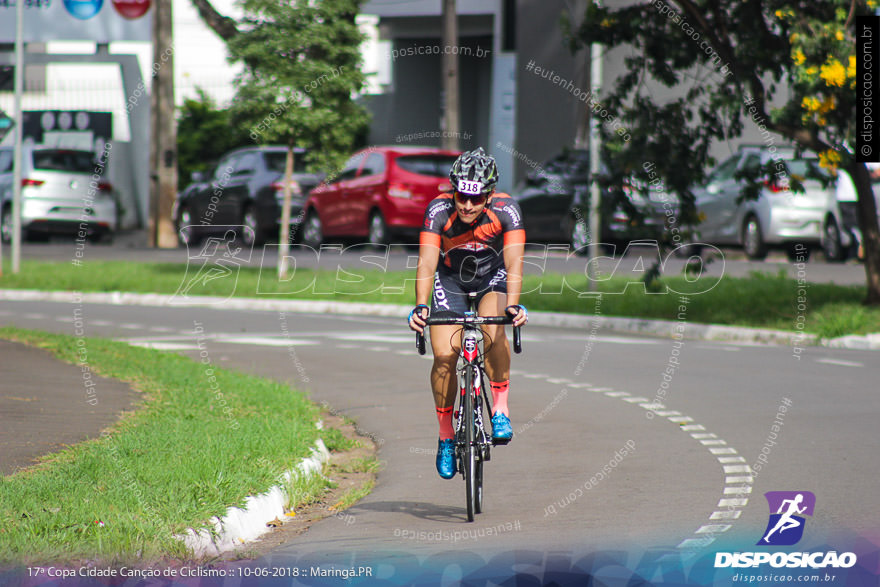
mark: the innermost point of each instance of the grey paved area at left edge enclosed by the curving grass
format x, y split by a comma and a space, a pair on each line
45, 405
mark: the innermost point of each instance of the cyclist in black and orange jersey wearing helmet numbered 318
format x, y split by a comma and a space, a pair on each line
472, 240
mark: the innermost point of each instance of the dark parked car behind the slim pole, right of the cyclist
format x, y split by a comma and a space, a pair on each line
555, 200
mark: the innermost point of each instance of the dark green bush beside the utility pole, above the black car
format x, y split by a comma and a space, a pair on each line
204, 133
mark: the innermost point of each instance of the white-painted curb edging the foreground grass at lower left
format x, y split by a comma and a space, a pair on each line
242, 525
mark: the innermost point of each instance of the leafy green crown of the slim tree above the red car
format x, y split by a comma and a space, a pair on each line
303, 65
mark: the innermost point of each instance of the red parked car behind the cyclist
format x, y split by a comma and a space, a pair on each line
379, 193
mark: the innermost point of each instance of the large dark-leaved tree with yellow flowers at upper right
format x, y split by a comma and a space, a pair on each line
788, 65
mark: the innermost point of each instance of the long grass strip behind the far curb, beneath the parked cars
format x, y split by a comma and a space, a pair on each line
761, 300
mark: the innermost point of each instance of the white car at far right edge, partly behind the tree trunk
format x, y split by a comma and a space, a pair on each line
841, 236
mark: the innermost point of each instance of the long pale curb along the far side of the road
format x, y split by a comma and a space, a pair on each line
660, 328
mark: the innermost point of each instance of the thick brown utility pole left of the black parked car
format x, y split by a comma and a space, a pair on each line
163, 131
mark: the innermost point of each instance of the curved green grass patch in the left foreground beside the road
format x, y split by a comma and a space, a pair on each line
175, 462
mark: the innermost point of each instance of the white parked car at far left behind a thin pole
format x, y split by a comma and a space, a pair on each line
60, 194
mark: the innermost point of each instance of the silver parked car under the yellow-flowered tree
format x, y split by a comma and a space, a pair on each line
780, 217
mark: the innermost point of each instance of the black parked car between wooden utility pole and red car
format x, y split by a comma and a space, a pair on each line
245, 189
